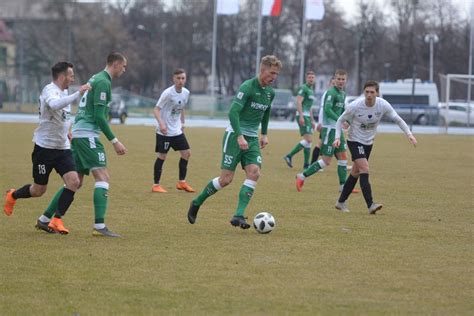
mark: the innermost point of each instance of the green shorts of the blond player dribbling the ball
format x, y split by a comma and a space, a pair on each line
232, 154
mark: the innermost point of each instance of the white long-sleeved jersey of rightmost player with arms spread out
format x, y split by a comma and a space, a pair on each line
364, 120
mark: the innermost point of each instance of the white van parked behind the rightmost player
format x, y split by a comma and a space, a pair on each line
413, 109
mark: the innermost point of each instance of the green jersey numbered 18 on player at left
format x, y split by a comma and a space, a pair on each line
91, 116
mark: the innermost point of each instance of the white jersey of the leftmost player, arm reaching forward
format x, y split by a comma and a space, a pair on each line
54, 117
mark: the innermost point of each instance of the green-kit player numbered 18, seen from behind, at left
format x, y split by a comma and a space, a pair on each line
88, 152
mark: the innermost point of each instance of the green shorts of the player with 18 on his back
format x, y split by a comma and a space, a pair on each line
88, 153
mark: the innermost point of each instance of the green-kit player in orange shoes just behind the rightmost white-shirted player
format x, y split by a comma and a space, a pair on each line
333, 108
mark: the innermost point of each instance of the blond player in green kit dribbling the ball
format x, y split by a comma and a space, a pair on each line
241, 144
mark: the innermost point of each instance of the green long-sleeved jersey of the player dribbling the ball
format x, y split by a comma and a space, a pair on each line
250, 107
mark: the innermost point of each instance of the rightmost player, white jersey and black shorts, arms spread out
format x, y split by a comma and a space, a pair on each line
364, 115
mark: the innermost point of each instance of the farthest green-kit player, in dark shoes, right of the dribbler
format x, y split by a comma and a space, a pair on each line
305, 120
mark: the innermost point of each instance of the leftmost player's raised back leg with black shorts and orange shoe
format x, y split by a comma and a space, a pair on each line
42, 166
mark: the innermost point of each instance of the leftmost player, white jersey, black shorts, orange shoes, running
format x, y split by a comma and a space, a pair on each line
52, 148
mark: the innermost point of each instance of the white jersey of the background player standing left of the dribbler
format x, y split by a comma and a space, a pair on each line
172, 104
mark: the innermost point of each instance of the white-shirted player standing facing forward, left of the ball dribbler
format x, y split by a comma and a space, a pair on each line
169, 114
